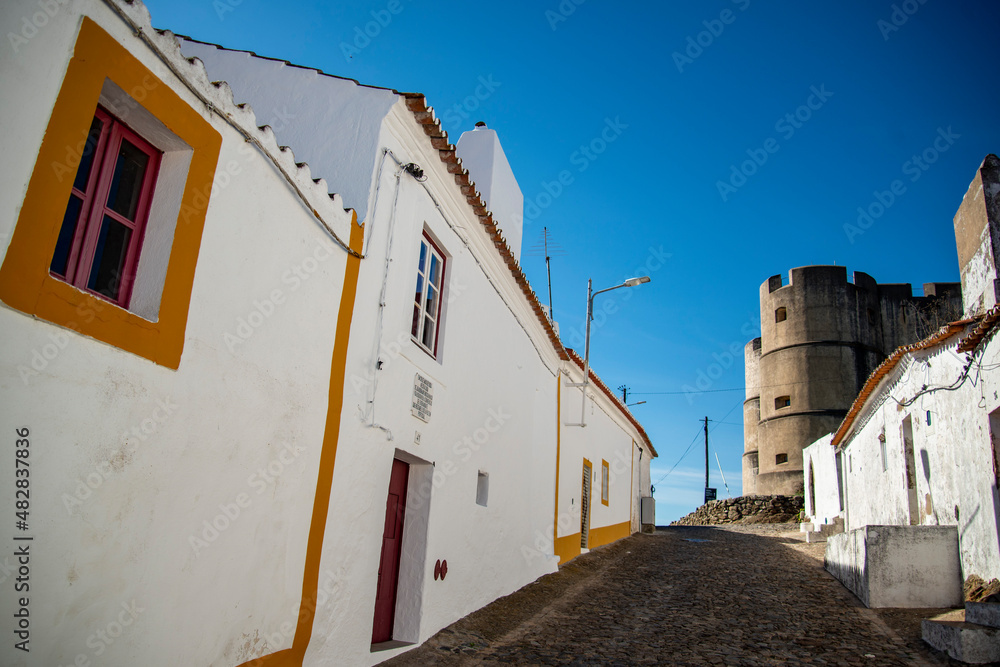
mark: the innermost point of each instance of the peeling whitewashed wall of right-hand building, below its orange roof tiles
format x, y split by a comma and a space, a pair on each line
955, 483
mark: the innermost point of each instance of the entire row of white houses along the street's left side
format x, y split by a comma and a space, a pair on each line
247, 410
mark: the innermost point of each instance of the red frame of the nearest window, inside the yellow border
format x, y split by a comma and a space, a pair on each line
95, 207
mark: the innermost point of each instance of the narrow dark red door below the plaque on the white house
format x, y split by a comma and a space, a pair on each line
388, 565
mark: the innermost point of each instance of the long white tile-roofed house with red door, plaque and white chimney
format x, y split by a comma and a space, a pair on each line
482, 450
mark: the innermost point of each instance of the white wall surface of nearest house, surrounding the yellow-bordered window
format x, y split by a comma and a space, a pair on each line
129, 459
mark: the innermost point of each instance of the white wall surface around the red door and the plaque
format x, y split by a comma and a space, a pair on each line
493, 410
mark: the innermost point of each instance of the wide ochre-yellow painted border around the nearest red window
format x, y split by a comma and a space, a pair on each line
25, 283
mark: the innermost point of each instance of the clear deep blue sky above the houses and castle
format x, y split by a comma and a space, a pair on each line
716, 143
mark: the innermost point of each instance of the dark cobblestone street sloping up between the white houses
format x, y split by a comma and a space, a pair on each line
686, 596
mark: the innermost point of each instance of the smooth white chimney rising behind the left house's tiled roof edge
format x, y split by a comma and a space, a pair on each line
483, 156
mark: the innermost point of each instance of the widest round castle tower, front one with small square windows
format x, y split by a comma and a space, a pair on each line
820, 339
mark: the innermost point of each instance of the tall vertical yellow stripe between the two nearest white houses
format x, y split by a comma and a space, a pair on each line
294, 656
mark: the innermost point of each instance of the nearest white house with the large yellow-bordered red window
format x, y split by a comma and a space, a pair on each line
174, 314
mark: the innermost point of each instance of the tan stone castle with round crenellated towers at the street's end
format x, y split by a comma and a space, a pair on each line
821, 337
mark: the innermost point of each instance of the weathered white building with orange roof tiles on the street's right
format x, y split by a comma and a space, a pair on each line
921, 444
